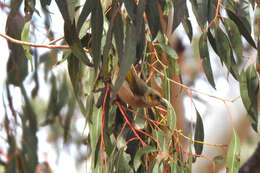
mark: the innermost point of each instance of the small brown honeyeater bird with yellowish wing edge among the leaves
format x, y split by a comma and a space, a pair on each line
135, 92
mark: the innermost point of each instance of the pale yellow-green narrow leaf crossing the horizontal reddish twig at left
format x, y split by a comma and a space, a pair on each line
25, 37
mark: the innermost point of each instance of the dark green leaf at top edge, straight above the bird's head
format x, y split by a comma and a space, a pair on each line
153, 18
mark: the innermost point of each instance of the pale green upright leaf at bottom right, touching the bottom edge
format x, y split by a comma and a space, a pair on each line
233, 154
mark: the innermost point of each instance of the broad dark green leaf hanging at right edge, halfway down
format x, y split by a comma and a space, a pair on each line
249, 85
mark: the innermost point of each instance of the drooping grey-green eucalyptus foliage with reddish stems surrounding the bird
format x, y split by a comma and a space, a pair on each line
103, 34
